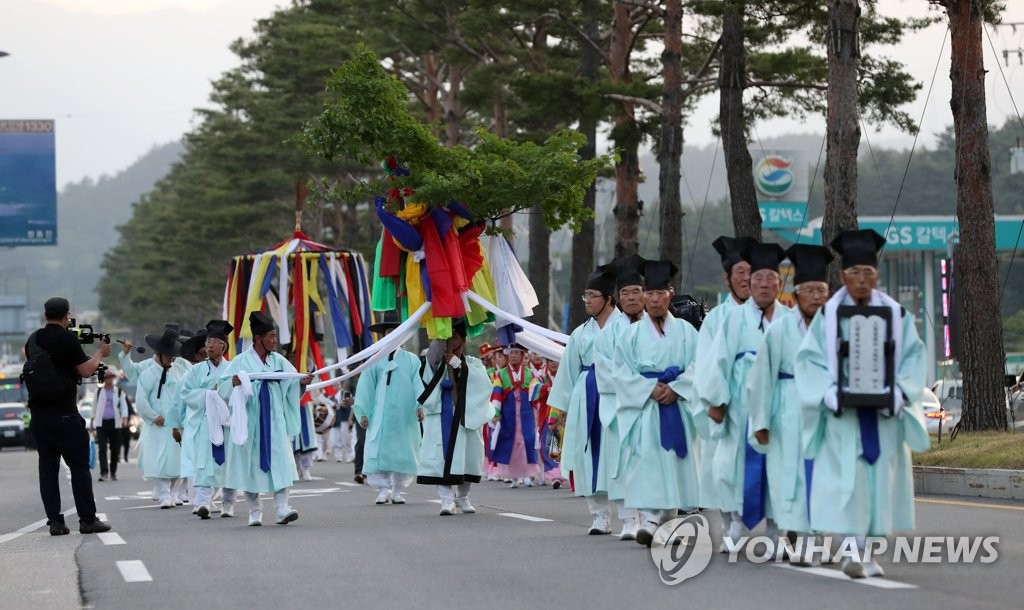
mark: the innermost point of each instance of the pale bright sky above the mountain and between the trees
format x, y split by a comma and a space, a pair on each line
122, 76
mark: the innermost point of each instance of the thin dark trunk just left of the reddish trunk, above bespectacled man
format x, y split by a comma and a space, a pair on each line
583, 242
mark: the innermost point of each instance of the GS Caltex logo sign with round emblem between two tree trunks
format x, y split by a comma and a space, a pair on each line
782, 182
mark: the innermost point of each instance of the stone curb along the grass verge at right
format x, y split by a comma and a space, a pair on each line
975, 483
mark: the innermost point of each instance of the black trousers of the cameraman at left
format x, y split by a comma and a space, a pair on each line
60, 434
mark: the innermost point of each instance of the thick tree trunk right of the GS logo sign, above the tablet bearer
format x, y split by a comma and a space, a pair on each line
842, 125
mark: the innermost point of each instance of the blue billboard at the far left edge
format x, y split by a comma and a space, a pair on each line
28, 184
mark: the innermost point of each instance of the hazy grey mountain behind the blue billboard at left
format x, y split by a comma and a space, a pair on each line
89, 213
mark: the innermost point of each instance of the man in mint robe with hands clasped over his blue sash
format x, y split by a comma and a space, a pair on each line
655, 424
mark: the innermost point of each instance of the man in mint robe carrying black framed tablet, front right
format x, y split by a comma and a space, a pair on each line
863, 484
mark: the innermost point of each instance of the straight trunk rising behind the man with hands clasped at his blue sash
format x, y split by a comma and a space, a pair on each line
671, 150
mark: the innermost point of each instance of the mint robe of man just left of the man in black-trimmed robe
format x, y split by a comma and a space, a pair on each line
387, 398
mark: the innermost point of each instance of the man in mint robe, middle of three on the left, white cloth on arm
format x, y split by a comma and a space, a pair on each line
205, 431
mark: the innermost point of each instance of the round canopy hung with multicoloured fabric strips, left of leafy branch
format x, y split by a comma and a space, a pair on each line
306, 287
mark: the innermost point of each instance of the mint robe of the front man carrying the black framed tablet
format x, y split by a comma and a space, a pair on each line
849, 496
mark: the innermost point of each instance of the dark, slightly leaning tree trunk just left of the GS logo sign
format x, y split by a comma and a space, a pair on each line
739, 165
